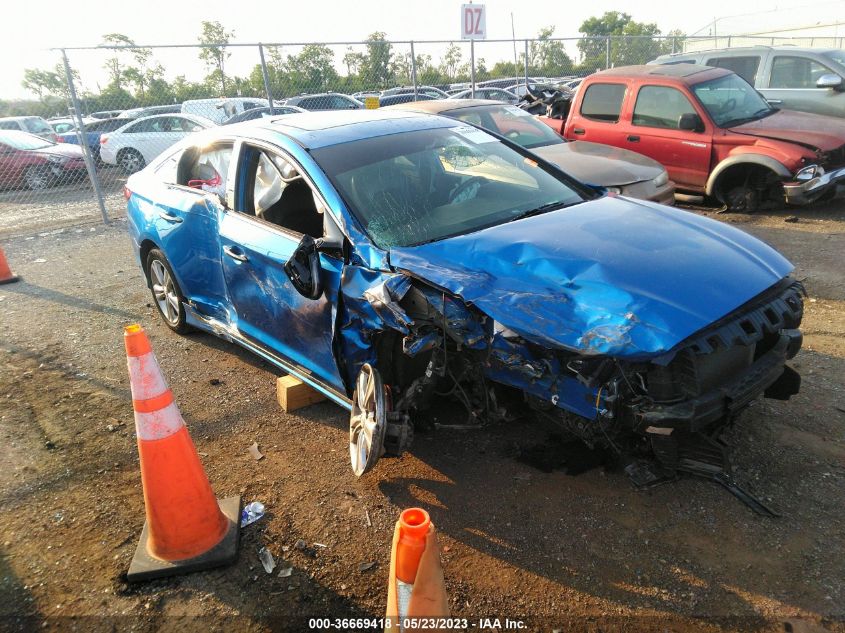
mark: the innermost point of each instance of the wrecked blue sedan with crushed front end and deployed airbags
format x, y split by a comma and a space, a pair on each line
391, 259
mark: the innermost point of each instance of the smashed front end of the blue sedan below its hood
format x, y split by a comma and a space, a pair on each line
669, 408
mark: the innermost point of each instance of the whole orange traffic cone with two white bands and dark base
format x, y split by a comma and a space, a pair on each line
186, 529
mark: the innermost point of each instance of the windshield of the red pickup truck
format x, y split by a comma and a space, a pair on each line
730, 100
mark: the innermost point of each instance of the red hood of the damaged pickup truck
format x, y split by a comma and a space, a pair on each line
822, 132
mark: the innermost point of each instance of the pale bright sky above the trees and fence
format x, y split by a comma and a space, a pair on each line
26, 40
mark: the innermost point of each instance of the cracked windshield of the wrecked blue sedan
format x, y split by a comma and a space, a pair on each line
416, 187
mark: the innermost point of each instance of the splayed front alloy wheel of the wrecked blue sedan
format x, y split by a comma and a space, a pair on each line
367, 420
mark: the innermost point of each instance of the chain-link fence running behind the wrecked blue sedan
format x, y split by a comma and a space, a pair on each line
110, 110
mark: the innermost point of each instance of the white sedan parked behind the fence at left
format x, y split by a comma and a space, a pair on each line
138, 142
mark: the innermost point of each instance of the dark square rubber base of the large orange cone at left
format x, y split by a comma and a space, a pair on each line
146, 567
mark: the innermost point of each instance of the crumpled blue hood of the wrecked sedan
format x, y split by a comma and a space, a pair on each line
610, 276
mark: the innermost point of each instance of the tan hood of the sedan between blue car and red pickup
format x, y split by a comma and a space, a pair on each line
598, 164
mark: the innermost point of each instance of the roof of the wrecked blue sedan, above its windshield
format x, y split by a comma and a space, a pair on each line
314, 130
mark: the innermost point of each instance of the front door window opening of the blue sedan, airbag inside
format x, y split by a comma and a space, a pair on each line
275, 192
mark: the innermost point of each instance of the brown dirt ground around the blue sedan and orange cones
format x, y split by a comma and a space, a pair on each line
558, 551
